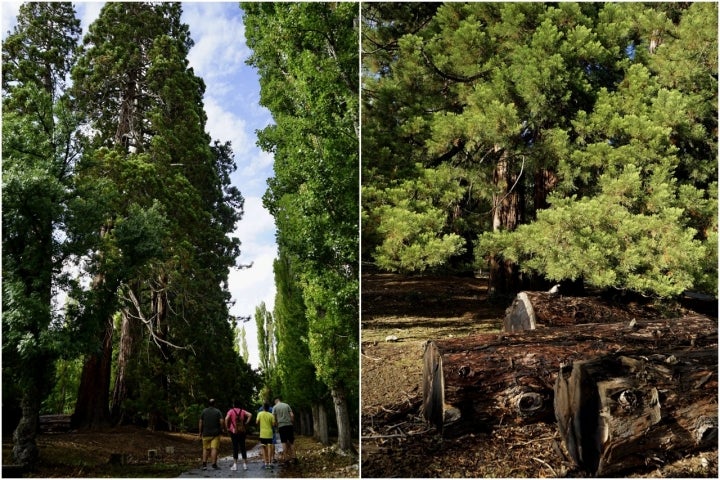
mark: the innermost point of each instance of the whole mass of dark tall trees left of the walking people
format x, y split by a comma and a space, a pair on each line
117, 214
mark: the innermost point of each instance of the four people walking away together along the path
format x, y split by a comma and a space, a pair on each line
212, 425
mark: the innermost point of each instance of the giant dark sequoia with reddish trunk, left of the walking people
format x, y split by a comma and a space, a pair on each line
164, 250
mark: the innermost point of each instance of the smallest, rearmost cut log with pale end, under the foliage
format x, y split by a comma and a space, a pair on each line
531, 310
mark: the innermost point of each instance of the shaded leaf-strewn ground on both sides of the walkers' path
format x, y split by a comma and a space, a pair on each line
86, 454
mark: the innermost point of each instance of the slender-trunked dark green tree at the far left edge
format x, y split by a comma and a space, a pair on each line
39, 153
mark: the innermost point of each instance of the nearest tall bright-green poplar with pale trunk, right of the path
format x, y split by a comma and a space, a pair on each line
307, 58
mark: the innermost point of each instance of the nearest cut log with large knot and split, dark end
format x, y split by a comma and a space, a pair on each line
620, 411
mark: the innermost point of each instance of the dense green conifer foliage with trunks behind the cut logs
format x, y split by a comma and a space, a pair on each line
569, 141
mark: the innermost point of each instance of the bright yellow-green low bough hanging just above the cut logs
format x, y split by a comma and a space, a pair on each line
601, 241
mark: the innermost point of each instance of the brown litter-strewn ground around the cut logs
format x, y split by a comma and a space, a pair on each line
398, 315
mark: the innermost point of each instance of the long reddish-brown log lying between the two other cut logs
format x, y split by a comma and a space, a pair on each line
480, 381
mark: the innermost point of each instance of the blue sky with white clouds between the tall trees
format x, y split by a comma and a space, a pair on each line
232, 105
